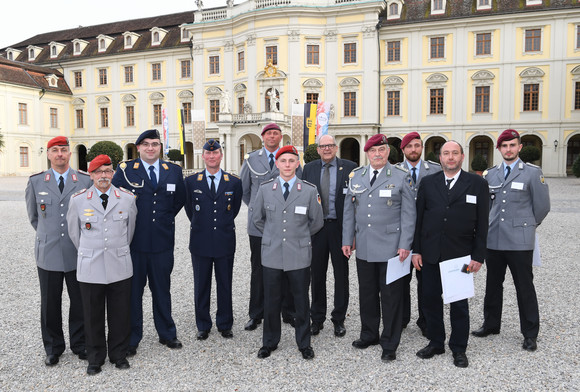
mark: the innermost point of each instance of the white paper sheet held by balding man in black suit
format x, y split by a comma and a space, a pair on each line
456, 285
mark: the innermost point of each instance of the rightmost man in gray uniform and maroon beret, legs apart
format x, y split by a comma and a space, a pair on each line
519, 202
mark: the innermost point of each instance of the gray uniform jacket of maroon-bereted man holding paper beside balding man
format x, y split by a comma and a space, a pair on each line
380, 218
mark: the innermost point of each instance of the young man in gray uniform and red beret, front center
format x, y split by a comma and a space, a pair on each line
287, 212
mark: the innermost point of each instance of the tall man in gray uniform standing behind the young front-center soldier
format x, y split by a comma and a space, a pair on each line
259, 167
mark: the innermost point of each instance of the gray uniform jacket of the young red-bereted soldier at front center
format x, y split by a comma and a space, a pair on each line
287, 225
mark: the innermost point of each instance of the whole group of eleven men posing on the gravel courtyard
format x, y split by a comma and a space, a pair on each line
298, 218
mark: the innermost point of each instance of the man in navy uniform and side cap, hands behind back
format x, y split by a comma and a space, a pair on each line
213, 201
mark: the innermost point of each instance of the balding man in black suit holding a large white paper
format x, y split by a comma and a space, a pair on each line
452, 217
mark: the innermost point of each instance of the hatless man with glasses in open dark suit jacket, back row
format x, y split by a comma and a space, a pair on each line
330, 175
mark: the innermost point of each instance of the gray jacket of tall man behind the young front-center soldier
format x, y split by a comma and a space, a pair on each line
256, 170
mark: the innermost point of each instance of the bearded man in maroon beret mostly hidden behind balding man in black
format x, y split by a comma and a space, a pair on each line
412, 147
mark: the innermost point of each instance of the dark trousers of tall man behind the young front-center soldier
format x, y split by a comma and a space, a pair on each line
256, 310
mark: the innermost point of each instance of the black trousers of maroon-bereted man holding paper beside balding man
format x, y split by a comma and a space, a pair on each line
376, 297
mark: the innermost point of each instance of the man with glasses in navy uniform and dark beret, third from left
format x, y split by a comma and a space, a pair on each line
160, 192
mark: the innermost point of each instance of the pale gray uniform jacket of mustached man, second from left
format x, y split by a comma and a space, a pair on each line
101, 236
